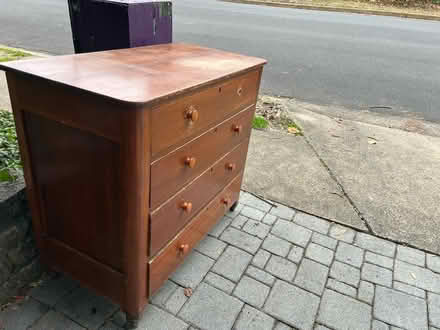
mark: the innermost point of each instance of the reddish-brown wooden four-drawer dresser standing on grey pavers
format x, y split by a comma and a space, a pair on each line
130, 157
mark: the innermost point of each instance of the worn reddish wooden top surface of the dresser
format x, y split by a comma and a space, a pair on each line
138, 75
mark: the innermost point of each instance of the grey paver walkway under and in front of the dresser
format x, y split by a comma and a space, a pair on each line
265, 267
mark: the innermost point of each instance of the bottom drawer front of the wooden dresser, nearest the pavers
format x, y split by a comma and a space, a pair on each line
161, 267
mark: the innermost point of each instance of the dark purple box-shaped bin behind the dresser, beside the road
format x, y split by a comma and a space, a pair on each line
112, 24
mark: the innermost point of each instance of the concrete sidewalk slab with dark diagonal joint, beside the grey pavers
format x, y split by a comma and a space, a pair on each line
376, 173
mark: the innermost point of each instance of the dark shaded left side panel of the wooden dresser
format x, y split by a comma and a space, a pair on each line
72, 178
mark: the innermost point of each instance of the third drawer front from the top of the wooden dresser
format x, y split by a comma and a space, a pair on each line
167, 221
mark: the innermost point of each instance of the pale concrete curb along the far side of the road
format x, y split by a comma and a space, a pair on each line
335, 9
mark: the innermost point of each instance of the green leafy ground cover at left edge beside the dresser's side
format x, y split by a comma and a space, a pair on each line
10, 162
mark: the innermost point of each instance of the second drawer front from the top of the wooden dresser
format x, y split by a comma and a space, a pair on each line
172, 172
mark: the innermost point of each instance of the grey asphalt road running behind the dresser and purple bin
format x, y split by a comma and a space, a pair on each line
357, 61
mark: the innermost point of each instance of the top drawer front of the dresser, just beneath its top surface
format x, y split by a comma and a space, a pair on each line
176, 122
